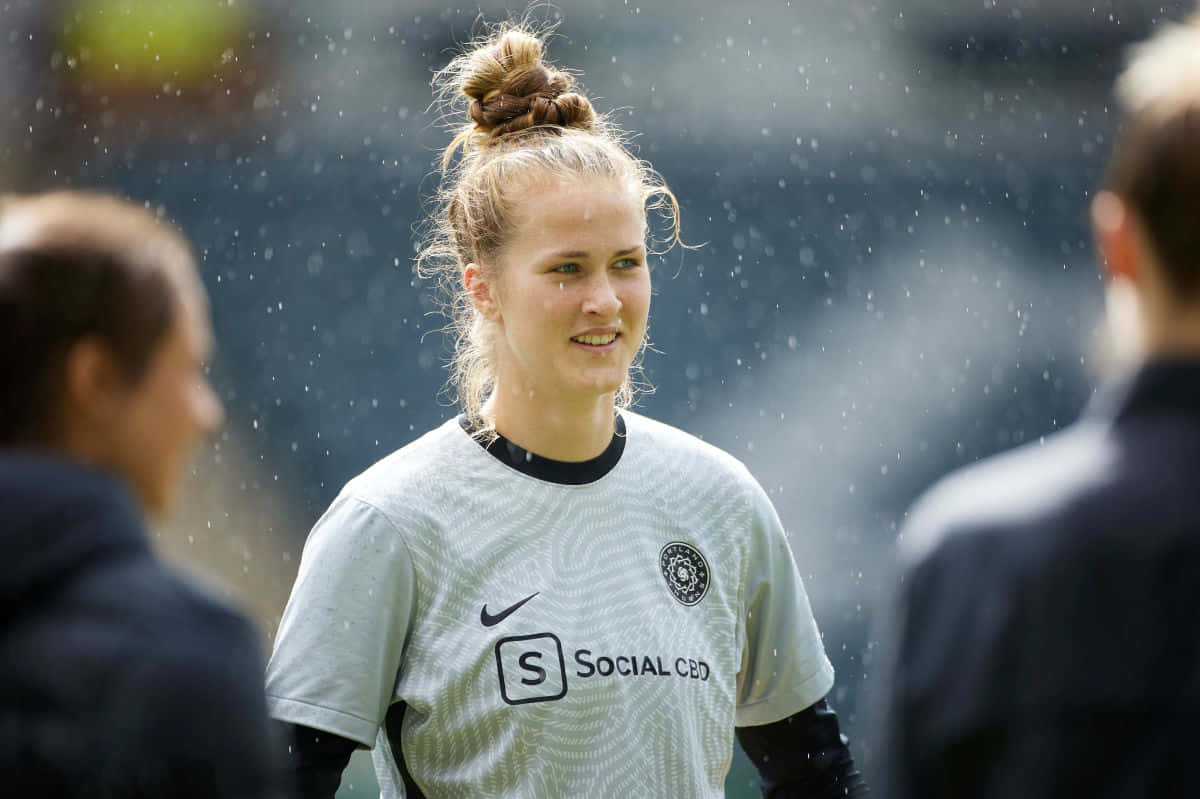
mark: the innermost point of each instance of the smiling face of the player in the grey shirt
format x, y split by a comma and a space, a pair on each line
572, 291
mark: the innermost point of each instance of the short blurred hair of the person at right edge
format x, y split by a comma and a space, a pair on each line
1155, 166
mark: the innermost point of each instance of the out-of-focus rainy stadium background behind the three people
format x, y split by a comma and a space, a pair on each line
896, 275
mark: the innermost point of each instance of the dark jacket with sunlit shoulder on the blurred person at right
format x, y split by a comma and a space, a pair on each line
1047, 635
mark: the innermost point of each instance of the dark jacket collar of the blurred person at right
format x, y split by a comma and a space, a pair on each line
1168, 386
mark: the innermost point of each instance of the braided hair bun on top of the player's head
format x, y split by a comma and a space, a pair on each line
512, 89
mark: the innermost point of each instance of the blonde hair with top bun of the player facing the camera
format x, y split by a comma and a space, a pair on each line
525, 121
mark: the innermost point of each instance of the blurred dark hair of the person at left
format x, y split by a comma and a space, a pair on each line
76, 266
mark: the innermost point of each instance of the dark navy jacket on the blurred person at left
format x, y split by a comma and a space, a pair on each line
118, 678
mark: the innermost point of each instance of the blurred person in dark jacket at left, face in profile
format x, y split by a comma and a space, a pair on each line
118, 678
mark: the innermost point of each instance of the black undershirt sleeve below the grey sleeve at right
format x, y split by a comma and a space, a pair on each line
805, 756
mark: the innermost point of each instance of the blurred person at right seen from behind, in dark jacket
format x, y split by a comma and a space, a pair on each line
1047, 640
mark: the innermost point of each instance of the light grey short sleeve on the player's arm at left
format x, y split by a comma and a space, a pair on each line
339, 648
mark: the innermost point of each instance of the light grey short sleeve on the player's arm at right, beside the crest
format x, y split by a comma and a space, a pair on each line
784, 665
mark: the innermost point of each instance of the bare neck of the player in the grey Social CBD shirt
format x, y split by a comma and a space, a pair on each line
555, 430
